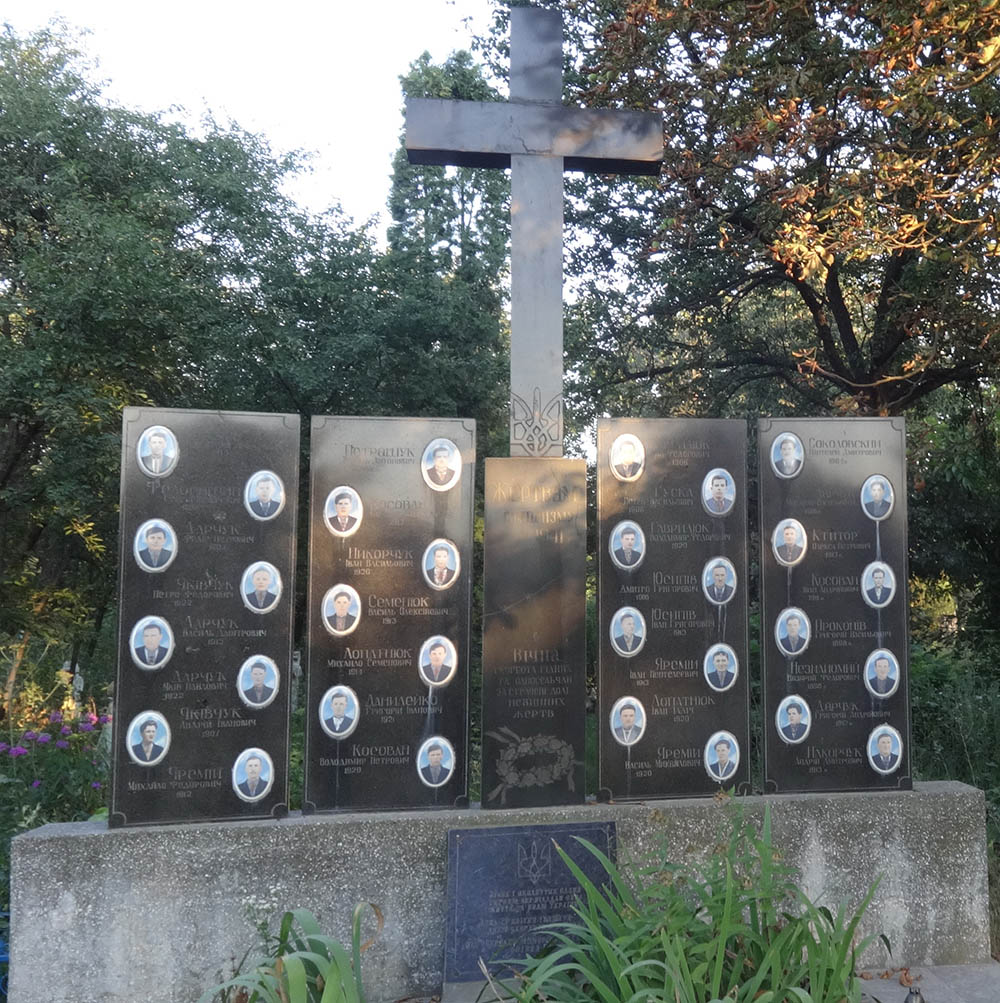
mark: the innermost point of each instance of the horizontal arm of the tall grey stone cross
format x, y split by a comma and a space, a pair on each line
486, 135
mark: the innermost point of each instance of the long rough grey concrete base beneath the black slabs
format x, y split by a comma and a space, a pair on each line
159, 915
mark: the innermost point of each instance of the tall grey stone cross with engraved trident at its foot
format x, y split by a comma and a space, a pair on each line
538, 139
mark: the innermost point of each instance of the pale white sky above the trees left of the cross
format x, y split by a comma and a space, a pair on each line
316, 77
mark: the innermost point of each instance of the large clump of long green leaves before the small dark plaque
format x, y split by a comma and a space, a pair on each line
737, 929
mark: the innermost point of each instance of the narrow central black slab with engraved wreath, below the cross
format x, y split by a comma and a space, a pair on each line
534, 644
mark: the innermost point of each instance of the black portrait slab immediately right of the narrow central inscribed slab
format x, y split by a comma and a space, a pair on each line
675, 709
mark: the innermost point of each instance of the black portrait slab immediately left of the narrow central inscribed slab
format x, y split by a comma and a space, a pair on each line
390, 592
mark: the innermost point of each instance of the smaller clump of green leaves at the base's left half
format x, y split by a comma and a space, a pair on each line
307, 966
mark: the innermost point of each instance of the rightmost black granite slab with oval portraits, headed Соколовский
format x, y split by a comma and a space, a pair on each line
834, 604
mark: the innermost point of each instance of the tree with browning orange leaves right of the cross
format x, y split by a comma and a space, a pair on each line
826, 220
